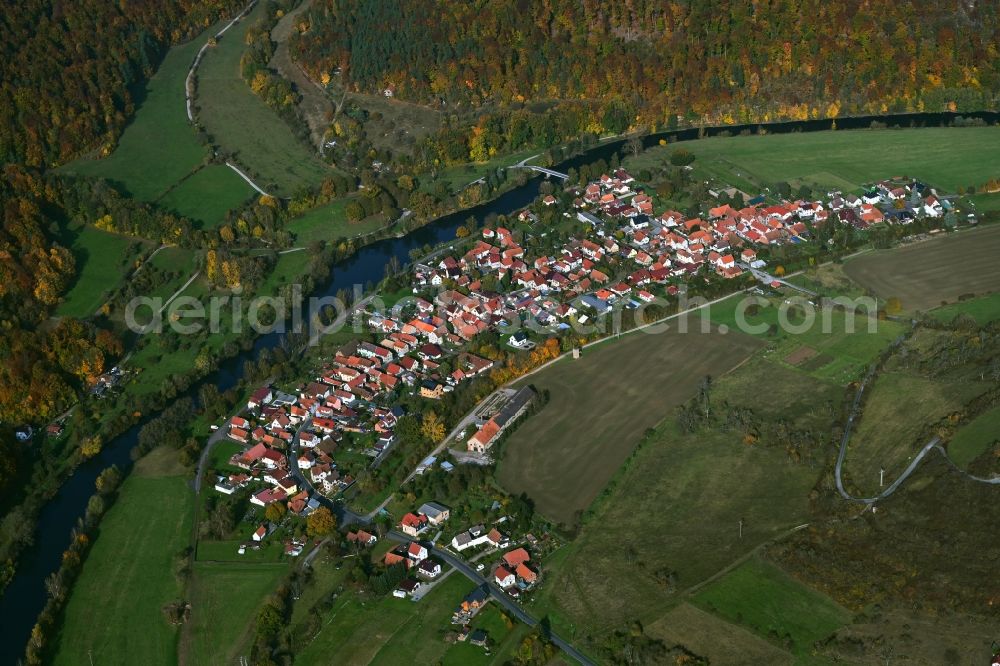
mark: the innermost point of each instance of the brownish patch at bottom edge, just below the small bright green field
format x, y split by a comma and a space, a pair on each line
715, 639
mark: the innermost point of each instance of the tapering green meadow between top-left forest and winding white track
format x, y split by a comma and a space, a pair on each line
158, 148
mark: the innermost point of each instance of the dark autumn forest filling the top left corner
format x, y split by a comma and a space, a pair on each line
69, 70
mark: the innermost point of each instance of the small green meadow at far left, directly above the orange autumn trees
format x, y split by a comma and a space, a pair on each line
102, 259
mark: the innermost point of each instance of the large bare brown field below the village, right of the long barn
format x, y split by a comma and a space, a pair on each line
599, 407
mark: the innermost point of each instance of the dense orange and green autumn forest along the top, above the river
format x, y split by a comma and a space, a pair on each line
646, 61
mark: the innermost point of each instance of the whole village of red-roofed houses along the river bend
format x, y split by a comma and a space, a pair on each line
300, 450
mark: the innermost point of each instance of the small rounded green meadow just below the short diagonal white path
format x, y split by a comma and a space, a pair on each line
208, 195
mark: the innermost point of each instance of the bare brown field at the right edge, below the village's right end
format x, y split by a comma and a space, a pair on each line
925, 274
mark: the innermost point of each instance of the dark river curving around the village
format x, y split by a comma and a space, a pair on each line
25, 596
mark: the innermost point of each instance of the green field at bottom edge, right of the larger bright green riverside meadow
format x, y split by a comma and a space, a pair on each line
224, 601
